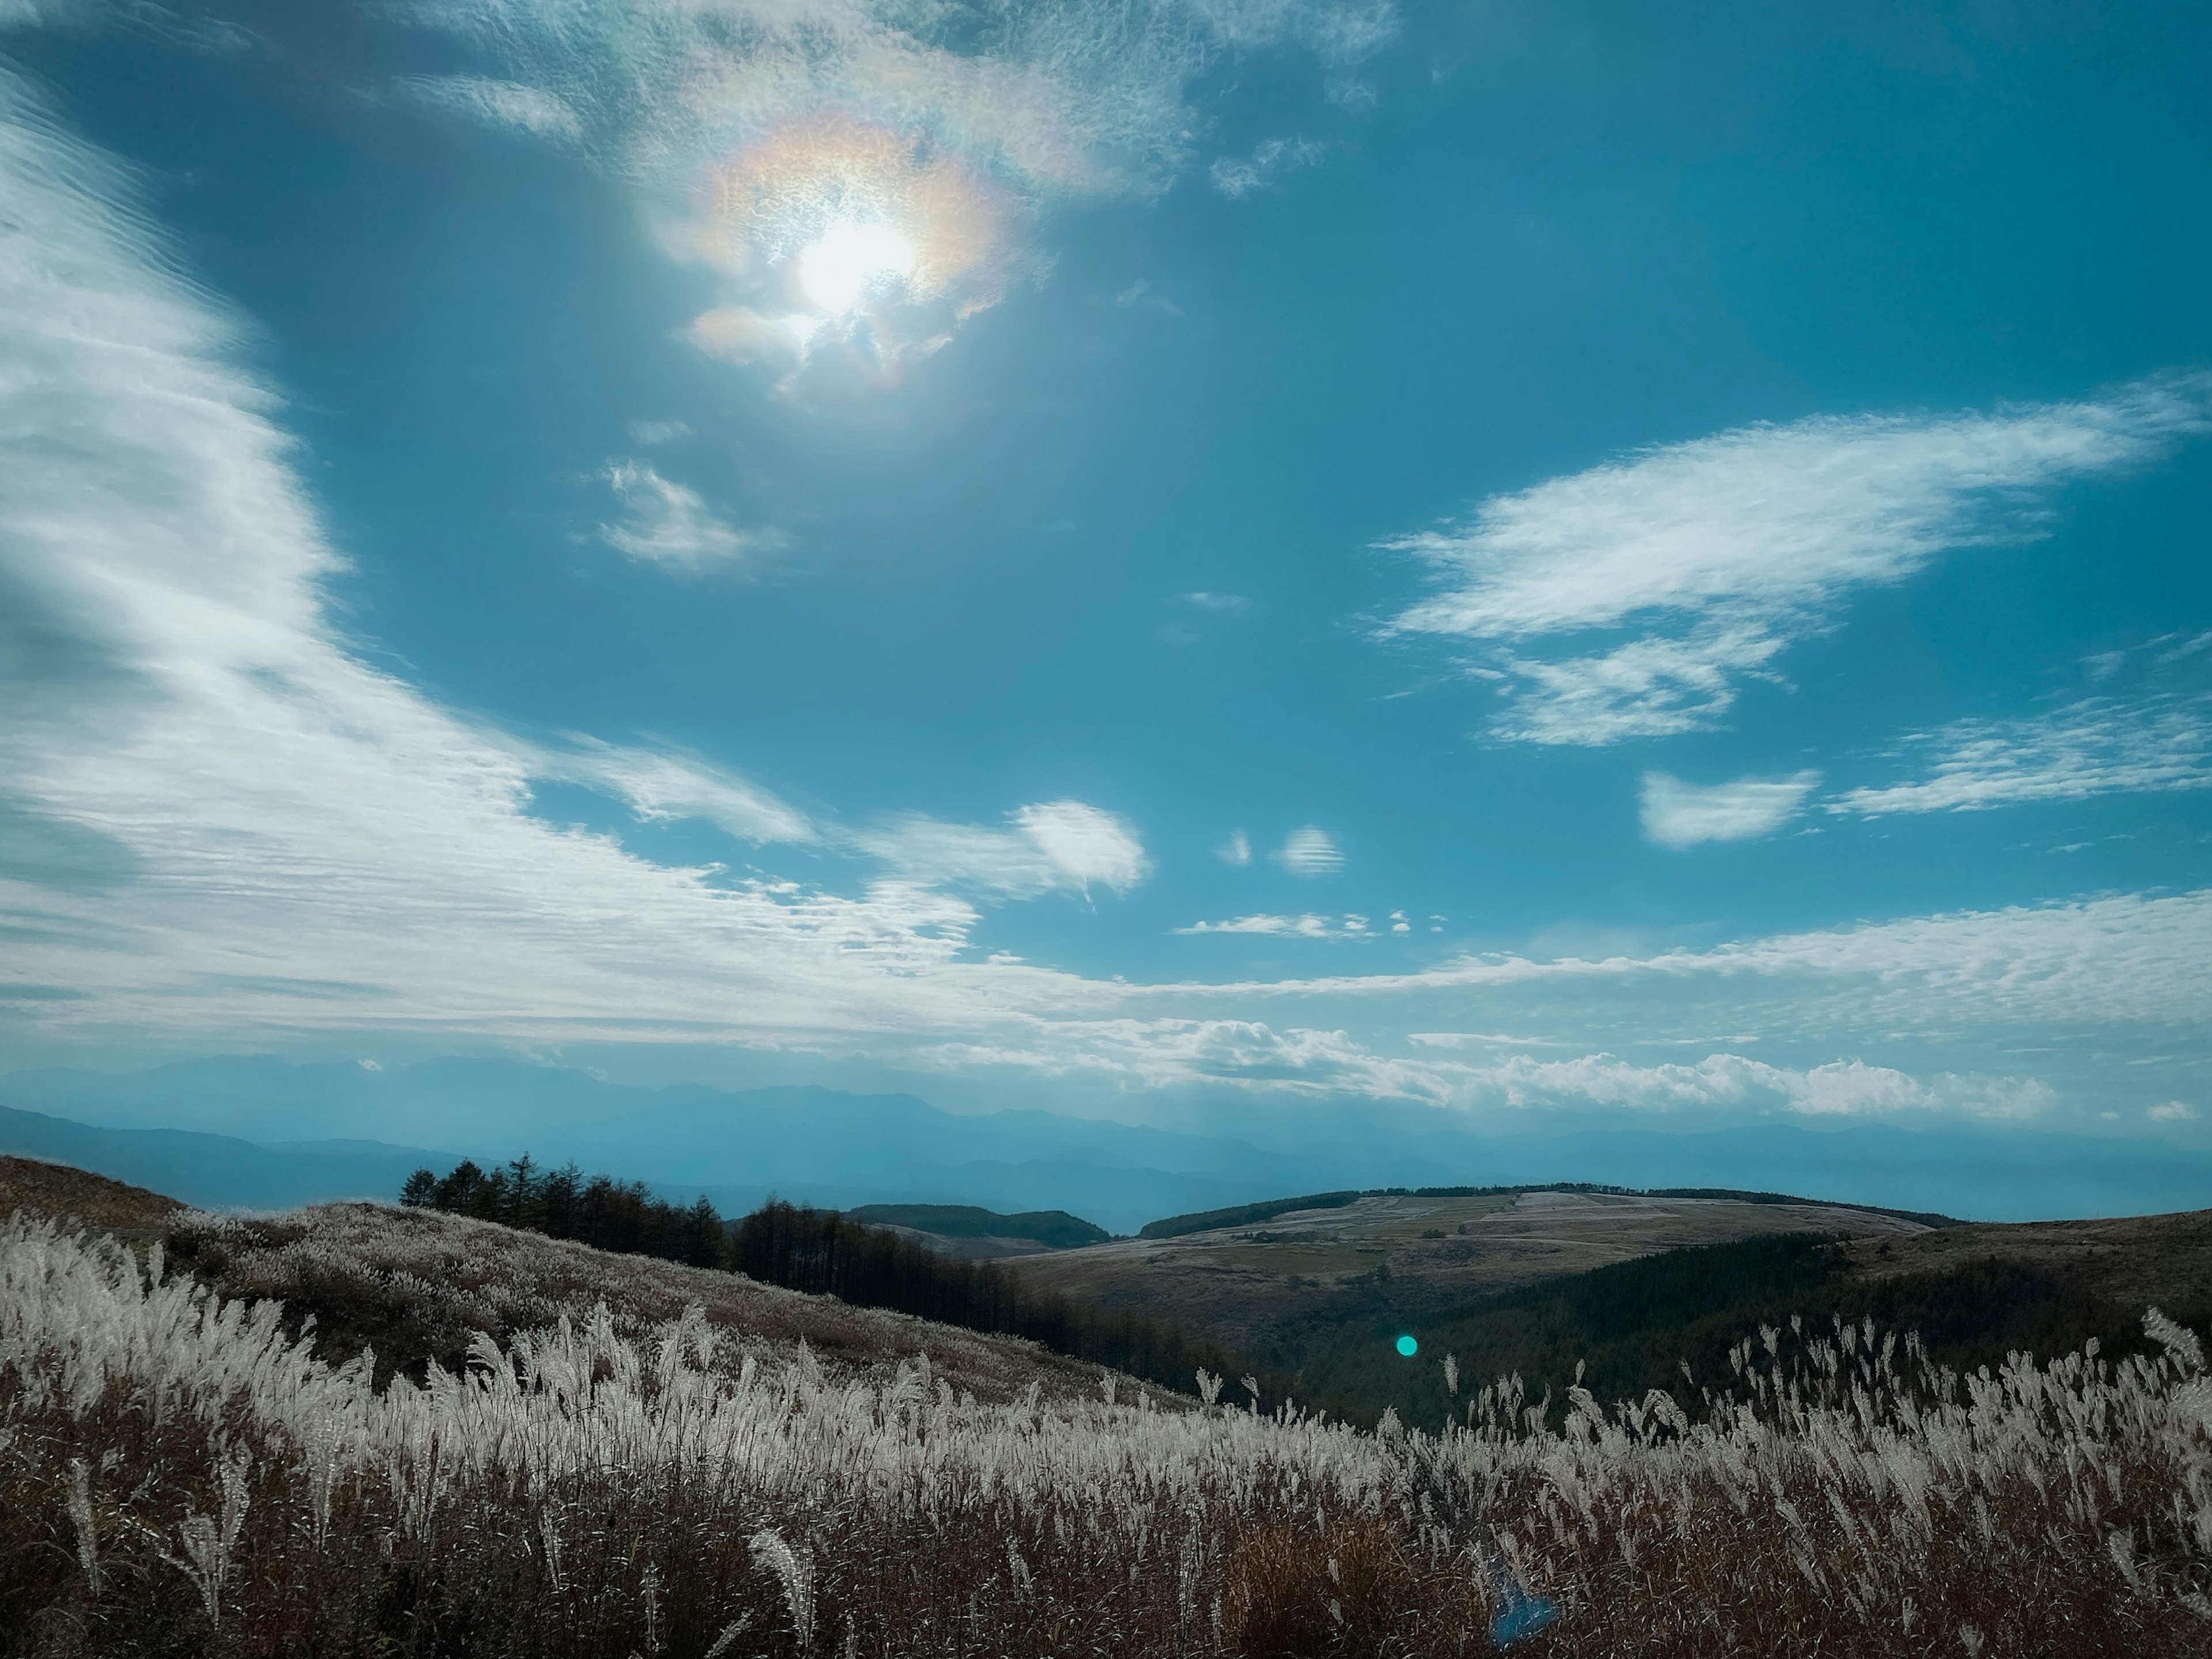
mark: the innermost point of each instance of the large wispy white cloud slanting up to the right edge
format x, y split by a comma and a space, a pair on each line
1713, 556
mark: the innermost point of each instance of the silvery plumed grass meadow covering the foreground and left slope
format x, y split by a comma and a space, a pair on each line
187, 1472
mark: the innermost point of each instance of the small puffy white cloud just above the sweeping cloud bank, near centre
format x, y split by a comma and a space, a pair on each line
1058, 846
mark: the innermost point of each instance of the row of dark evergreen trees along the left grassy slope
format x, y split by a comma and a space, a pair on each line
820, 1253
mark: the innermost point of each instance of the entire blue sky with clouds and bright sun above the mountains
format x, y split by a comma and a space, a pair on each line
1543, 563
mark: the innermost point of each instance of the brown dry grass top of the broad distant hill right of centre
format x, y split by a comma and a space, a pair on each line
1242, 1282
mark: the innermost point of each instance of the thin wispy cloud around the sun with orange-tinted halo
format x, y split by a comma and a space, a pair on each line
932, 138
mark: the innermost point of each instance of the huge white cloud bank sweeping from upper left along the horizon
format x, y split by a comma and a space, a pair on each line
275, 842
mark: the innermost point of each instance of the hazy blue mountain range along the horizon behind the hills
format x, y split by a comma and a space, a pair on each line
267, 1134
